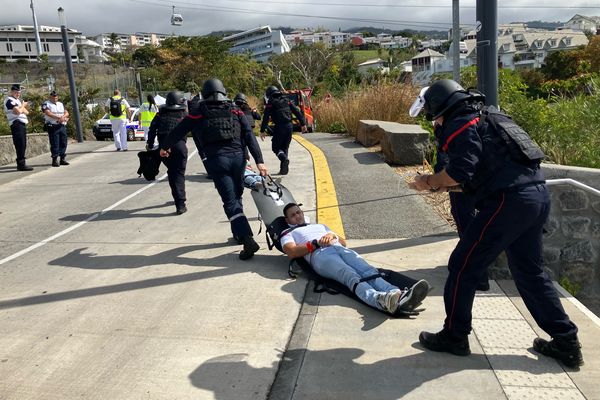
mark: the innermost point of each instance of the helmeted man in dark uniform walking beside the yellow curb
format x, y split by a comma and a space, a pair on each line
279, 109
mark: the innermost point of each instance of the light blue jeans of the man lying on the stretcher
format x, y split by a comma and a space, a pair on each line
347, 267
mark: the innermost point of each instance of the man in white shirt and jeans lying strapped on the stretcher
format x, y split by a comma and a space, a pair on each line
326, 252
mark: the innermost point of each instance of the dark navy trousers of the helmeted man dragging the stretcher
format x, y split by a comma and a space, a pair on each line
227, 172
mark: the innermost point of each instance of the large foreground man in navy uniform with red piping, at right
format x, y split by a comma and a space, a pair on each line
513, 204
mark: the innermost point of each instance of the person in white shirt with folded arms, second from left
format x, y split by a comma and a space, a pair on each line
56, 118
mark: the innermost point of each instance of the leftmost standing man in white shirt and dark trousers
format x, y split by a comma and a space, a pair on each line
16, 113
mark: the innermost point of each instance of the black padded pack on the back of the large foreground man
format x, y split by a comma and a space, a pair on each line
503, 131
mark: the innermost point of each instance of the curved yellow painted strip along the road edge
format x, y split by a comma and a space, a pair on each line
328, 211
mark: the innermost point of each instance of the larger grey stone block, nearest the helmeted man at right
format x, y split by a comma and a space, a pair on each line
403, 144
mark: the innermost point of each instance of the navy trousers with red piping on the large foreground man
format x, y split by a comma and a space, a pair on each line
512, 221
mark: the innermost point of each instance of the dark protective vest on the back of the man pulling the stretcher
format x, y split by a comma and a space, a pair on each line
219, 124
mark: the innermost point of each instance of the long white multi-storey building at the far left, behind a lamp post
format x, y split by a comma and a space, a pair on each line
17, 42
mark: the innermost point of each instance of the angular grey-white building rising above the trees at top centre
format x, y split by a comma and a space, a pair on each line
259, 43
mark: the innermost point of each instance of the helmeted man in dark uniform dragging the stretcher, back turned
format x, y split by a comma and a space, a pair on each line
223, 132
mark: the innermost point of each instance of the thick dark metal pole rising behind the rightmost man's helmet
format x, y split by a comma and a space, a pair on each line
487, 49
